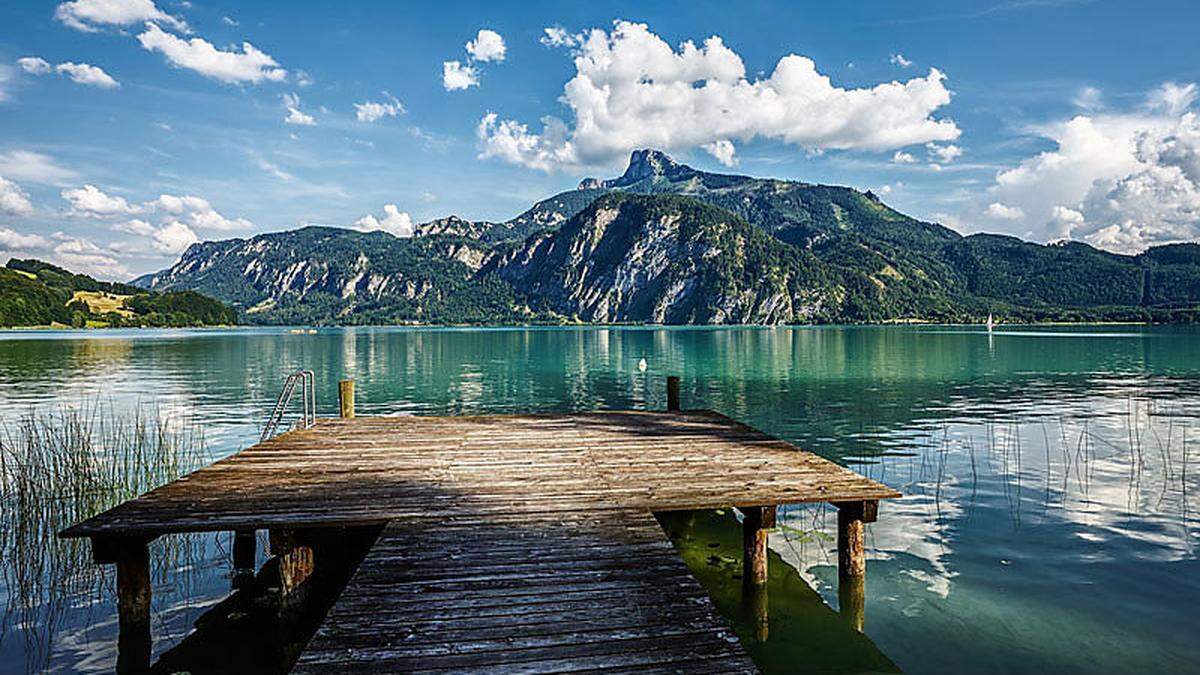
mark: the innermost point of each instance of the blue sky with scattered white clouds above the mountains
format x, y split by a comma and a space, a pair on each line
131, 129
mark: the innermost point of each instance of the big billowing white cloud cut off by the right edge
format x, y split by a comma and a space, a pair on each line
1123, 182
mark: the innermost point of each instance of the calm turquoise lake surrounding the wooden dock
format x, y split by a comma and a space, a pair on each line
1047, 474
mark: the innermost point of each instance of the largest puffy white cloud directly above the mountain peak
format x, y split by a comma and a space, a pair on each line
634, 91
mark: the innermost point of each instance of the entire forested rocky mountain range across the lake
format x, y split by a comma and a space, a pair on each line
665, 243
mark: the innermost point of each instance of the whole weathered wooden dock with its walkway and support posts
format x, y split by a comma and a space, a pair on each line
515, 543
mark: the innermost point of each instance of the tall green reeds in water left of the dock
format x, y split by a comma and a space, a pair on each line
59, 467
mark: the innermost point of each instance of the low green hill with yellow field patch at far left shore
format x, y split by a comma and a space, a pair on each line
38, 294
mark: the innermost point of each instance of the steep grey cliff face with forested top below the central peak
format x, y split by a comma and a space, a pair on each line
665, 260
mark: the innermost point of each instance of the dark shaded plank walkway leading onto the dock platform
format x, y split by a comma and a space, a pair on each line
413, 606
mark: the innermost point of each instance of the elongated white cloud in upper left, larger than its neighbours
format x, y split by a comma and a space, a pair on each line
232, 68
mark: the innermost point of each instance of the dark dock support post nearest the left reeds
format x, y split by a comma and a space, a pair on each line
133, 559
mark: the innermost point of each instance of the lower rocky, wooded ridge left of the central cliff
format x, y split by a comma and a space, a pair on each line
335, 276
